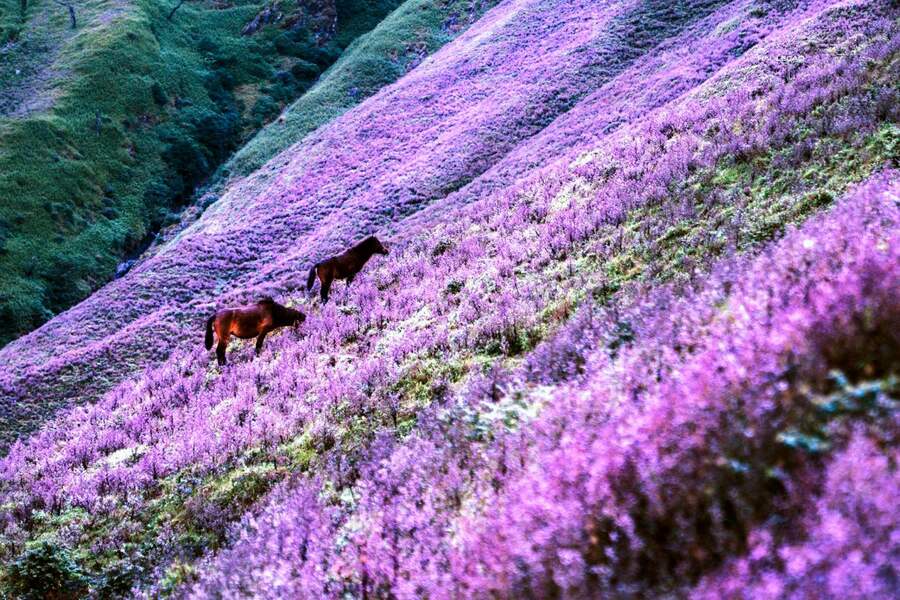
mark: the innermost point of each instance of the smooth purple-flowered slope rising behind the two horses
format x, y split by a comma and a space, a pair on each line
442, 126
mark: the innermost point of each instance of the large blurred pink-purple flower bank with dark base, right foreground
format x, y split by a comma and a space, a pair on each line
703, 445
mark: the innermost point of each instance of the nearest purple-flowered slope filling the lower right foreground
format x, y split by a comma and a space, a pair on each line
684, 441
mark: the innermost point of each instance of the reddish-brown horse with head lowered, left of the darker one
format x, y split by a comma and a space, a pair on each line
249, 321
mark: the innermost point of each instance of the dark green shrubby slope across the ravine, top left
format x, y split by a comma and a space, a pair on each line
108, 123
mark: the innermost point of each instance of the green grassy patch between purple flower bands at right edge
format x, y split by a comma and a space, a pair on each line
765, 199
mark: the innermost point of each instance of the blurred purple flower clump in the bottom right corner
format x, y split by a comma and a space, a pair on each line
848, 550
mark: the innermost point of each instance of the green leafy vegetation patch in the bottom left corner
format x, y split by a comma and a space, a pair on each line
188, 511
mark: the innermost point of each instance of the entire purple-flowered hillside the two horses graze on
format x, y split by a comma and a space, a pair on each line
634, 337
